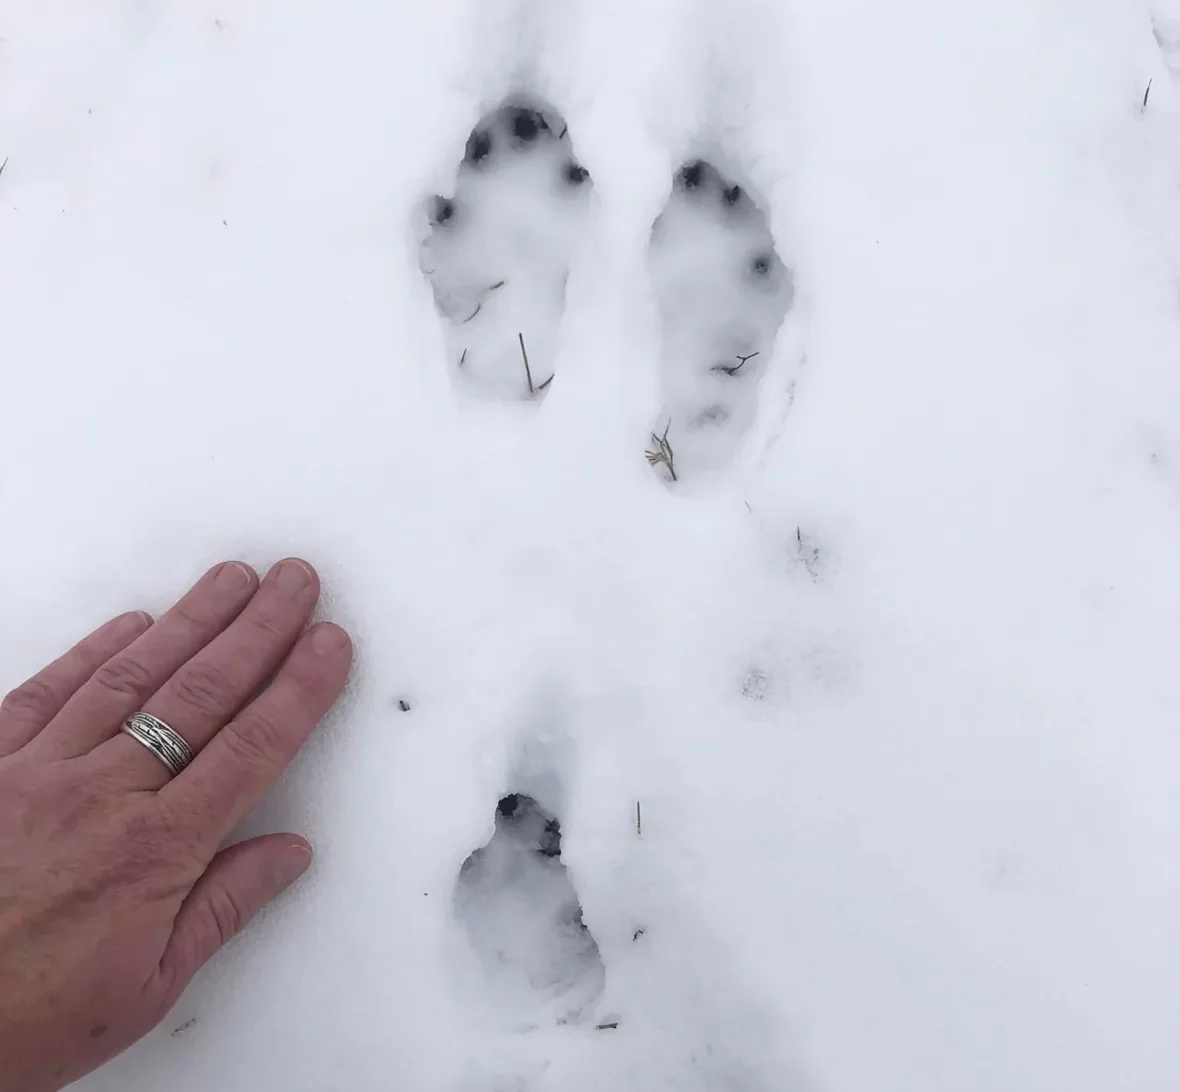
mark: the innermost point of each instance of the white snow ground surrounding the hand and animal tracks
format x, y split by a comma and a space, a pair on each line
894, 681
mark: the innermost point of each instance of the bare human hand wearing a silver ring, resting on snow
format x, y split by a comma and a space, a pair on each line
113, 890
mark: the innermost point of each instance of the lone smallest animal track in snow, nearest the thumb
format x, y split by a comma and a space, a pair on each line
519, 906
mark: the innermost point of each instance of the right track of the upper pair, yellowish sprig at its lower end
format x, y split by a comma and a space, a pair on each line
723, 293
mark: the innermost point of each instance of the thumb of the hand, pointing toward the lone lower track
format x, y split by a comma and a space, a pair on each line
239, 882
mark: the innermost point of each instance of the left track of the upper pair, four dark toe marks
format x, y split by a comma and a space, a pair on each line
499, 251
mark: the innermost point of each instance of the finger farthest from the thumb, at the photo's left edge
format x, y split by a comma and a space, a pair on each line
36, 703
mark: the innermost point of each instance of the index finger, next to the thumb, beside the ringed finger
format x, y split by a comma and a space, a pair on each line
237, 768
